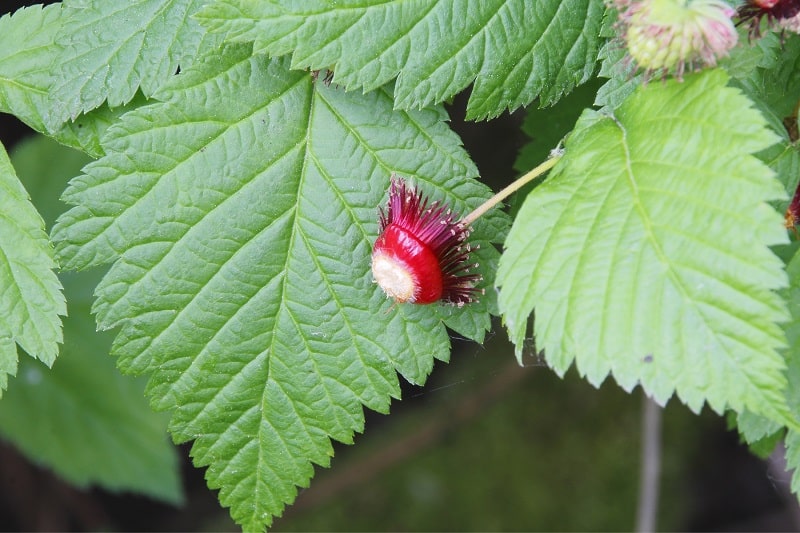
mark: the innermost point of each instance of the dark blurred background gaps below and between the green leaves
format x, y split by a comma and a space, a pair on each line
486, 445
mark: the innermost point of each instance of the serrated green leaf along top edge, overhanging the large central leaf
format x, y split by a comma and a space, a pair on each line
513, 50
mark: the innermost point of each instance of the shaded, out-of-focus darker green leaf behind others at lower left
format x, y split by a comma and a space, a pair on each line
93, 425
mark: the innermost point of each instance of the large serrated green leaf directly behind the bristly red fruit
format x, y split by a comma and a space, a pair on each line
245, 206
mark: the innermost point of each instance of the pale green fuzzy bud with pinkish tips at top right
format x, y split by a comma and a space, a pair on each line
666, 36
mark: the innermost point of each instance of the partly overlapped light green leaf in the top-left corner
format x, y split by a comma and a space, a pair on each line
27, 52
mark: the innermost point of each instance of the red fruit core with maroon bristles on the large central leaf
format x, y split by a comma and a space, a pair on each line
421, 255
